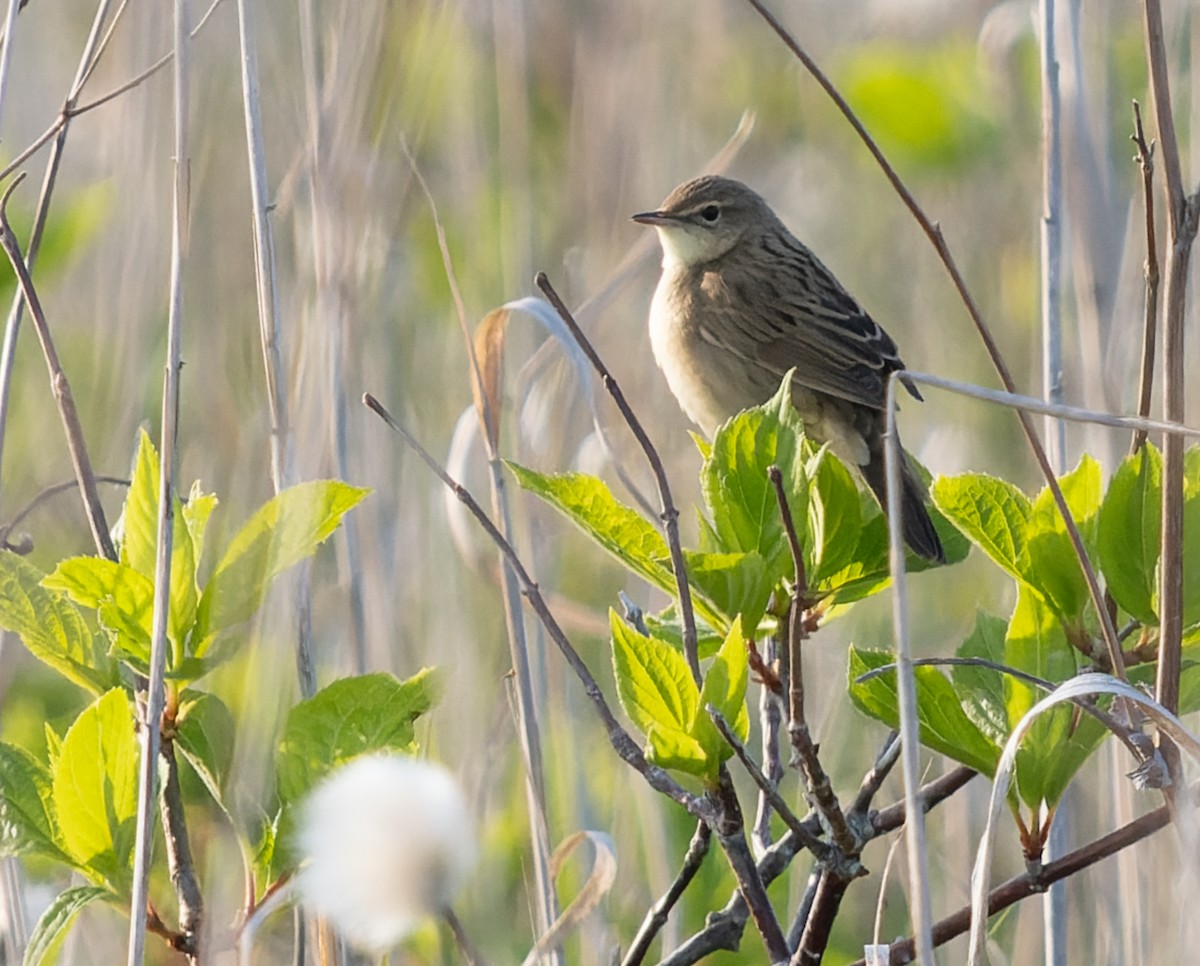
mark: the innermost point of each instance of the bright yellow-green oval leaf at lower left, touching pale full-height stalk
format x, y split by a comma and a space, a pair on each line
95, 790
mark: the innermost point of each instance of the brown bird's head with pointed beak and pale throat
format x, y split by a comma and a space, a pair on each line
704, 219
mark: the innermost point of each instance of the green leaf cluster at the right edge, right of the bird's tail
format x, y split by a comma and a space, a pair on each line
1053, 633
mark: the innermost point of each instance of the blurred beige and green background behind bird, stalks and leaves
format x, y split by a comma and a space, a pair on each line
539, 128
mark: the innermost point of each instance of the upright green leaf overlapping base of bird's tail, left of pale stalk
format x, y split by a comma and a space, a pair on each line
836, 518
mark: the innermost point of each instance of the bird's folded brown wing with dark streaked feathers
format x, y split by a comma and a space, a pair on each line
805, 320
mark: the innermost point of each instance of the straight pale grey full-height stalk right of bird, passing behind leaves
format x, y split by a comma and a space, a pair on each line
1054, 902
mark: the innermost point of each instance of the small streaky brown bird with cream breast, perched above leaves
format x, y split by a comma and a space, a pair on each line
741, 303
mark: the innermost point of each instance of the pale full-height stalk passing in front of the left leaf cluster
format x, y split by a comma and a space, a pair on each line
169, 459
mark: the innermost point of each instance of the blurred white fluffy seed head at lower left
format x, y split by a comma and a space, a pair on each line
389, 841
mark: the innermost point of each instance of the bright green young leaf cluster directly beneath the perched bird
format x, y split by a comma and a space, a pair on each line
742, 562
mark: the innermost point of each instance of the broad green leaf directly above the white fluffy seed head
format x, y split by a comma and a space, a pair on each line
351, 717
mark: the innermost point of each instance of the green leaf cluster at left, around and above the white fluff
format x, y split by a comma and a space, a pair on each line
75, 803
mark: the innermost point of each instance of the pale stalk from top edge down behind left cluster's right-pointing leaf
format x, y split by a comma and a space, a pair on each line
265, 253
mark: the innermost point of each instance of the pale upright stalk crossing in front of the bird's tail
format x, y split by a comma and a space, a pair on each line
910, 730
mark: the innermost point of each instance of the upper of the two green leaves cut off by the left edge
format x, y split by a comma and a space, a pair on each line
52, 627
